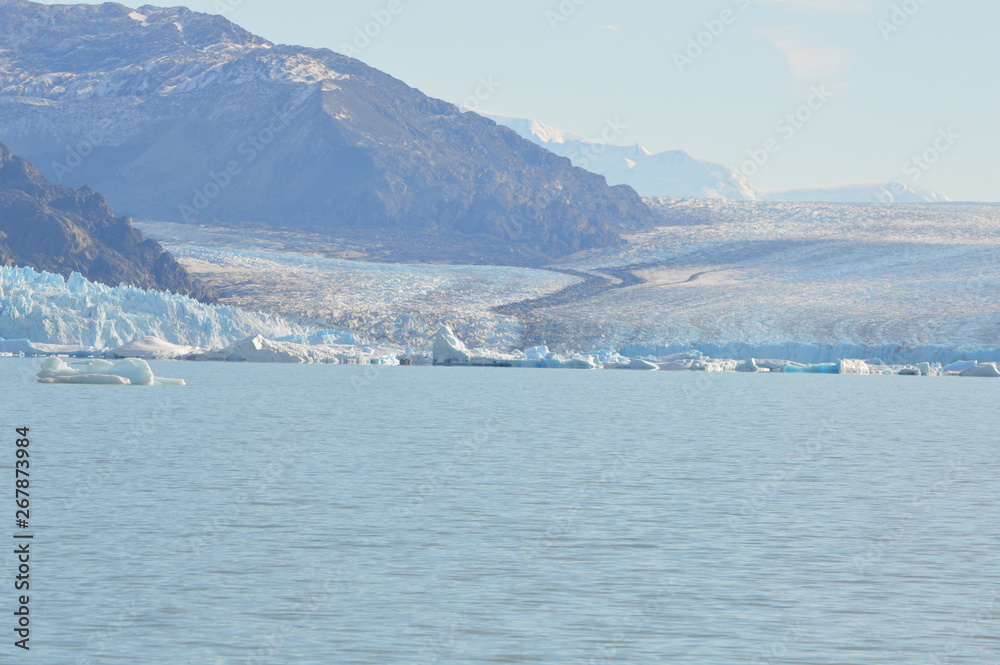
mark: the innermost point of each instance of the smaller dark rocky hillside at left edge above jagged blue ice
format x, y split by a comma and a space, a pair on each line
56, 229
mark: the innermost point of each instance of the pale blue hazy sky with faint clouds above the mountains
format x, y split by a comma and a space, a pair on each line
792, 93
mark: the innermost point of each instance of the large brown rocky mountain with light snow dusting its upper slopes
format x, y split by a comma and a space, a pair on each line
180, 116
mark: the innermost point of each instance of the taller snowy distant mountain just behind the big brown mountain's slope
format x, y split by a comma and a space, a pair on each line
674, 173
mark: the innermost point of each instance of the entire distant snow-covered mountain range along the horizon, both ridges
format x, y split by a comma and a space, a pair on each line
677, 174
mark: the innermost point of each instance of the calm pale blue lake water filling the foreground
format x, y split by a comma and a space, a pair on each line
337, 514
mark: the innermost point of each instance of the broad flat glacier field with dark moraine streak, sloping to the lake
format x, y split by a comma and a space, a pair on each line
807, 283
